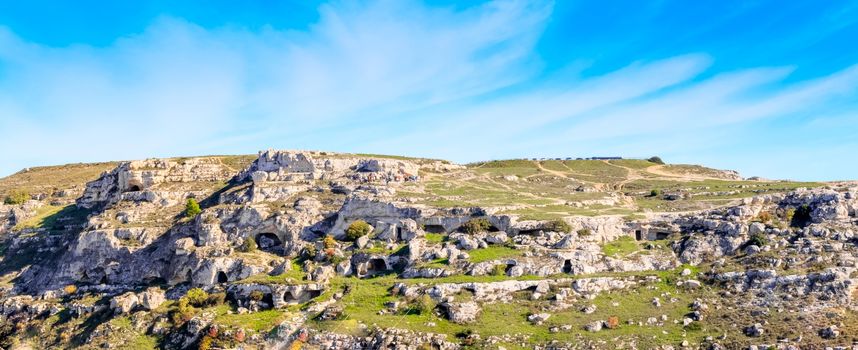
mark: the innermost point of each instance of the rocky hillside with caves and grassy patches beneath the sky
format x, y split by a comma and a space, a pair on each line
320, 250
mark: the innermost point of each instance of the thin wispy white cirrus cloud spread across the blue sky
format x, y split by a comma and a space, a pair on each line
397, 77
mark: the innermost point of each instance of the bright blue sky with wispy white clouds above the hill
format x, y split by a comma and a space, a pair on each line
766, 88
